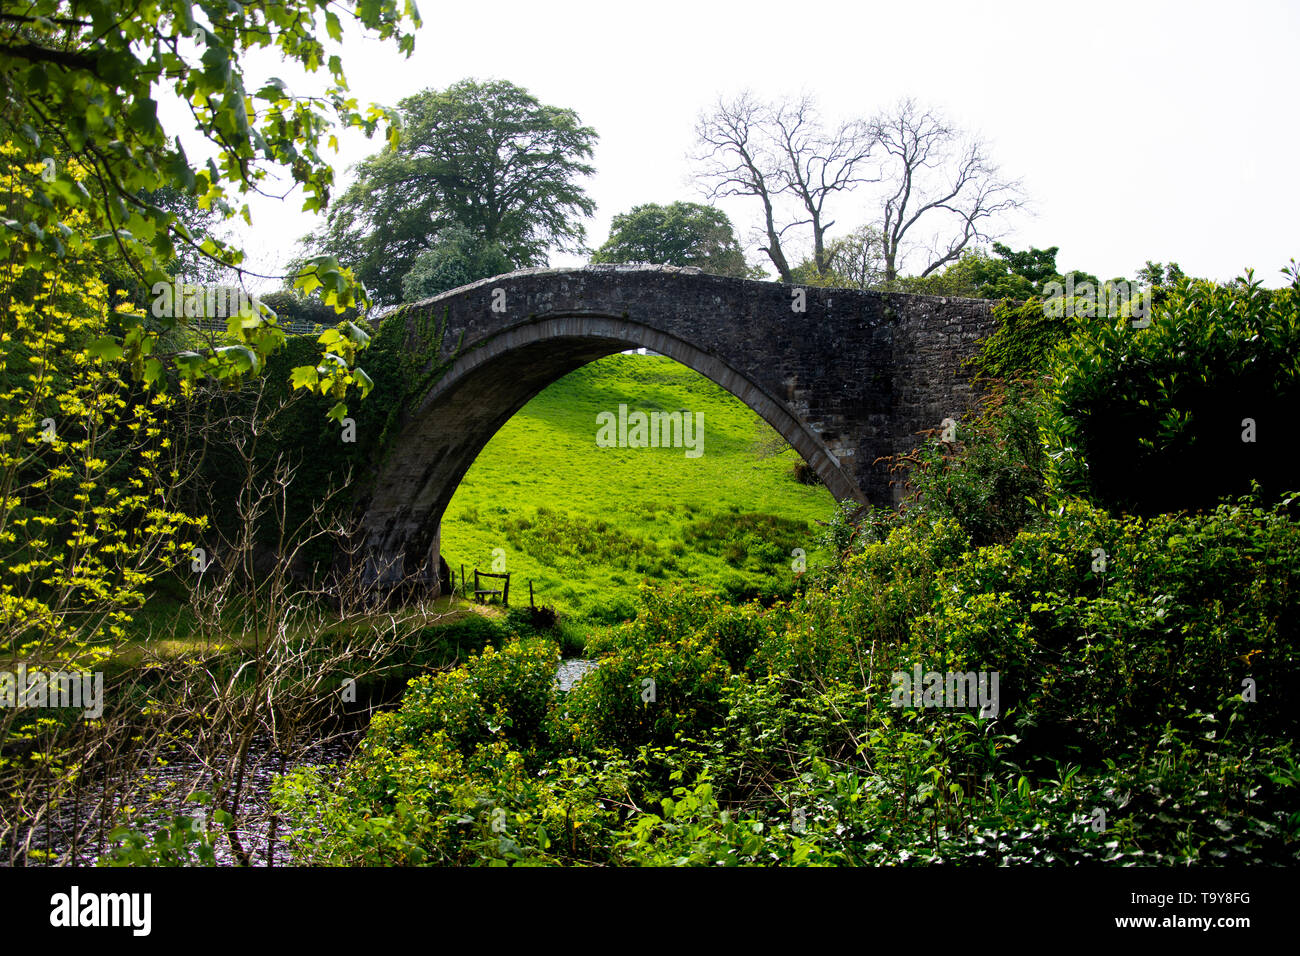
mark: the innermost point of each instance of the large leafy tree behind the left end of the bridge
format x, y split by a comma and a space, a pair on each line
488, 158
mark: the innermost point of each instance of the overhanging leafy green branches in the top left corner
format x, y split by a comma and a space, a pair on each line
84, 81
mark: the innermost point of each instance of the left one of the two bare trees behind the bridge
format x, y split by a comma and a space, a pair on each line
778, 152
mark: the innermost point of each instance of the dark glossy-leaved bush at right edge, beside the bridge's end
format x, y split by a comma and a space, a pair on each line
1155, 419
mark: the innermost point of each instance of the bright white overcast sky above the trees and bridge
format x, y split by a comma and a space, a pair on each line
1141, 131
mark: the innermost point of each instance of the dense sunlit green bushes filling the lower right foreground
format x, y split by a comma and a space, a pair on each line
1124, 677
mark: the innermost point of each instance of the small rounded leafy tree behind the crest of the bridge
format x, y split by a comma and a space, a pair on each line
677, 235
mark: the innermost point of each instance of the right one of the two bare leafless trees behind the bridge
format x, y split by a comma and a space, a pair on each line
942, 178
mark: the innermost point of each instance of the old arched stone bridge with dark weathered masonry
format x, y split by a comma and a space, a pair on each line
848, 379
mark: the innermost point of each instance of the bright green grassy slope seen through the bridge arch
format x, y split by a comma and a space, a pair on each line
590, 525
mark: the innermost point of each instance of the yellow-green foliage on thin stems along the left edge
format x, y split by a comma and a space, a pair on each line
85, 470
